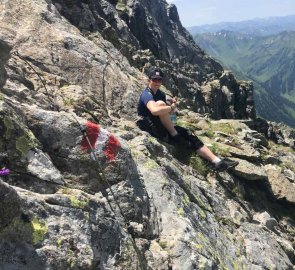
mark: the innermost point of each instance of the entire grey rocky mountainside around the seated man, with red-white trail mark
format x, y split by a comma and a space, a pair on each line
138, 203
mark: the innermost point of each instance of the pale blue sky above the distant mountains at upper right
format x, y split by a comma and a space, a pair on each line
198, 12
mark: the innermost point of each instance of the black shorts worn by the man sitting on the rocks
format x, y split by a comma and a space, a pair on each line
186, 138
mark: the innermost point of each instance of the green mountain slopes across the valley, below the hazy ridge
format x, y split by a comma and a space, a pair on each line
268, 61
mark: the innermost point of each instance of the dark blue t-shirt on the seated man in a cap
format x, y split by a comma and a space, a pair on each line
146, 96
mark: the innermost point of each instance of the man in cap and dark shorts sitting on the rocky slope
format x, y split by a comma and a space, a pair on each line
155, 114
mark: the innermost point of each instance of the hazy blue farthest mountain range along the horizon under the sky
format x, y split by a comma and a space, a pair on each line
255, 27
